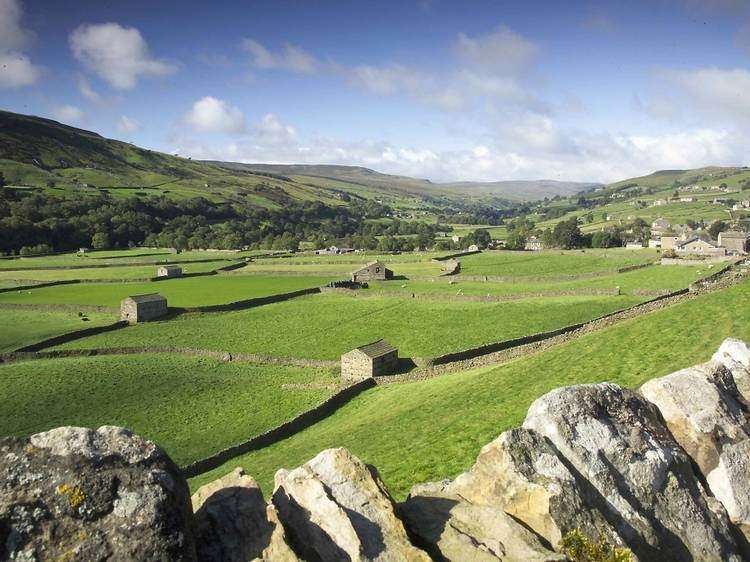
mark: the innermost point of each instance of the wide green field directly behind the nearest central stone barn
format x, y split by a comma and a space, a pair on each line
325, 326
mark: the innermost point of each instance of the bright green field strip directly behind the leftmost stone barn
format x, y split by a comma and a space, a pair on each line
195, 291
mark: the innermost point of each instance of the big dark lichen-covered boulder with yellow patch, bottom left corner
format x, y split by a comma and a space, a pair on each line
84, 494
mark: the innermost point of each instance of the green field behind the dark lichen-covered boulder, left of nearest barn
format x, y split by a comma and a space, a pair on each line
191, 406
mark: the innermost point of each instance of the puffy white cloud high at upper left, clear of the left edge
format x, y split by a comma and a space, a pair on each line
119, 55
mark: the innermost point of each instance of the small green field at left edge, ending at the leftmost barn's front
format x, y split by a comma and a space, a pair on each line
19, 328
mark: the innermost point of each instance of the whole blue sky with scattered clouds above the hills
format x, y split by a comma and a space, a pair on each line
480, 90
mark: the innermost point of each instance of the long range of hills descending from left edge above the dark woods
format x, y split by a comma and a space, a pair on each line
38, 153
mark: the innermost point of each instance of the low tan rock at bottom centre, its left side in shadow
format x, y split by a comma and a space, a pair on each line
453, 529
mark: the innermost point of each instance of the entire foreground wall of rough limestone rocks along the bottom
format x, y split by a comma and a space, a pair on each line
662, 471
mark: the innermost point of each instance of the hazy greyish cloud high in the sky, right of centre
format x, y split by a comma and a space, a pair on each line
502, 52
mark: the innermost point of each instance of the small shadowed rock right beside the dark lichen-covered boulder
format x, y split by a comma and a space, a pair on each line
234, 524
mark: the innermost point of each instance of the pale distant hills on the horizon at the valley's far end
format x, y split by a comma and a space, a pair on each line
356, 175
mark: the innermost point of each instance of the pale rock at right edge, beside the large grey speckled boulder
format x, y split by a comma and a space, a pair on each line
704, 411
